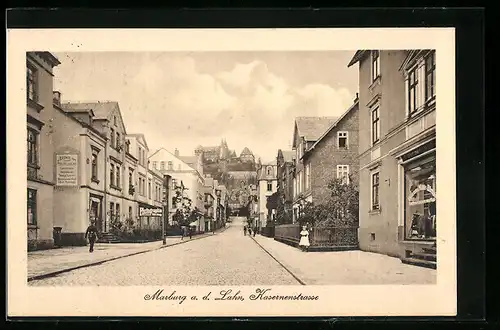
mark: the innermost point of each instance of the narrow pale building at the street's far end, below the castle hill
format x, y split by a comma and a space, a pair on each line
268, 185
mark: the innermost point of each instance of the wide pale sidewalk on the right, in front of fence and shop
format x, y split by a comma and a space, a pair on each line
345, 267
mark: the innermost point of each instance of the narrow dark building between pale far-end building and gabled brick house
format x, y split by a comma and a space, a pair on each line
285, 168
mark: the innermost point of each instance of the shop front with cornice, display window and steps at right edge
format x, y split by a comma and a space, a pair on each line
418, 203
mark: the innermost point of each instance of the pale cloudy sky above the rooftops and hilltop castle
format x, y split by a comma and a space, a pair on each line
181, 100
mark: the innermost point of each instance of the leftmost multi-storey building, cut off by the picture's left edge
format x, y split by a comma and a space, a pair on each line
40, 153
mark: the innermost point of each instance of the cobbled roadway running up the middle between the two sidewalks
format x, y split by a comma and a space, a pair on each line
229, 258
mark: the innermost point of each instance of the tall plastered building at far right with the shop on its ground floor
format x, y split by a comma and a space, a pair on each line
397, 153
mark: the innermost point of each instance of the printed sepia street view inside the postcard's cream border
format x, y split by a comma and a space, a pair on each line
231, 168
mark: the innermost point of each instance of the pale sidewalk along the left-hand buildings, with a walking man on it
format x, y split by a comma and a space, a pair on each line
54, 261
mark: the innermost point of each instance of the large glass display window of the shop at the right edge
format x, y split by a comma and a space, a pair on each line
420, 200
